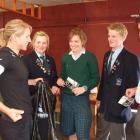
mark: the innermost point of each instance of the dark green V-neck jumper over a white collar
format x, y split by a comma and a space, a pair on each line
84, 70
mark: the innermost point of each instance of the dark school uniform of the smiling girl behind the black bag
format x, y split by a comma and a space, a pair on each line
47, 71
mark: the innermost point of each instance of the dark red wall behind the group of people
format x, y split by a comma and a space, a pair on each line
94, 17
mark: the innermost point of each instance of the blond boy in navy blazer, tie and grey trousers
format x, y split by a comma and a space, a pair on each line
119, 78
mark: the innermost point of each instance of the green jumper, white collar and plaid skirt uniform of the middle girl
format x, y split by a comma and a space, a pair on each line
75, 110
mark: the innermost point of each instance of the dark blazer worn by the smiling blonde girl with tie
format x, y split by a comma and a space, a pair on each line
32, 62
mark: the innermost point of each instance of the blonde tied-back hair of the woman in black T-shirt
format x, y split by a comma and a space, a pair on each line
15, 26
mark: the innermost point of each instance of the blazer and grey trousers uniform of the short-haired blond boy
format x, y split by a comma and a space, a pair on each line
123, 75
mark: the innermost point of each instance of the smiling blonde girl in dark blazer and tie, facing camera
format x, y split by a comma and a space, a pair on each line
42, 65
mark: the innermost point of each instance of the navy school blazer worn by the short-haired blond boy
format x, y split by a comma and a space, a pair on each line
113, 85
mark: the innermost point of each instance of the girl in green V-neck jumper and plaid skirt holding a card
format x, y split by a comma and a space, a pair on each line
79, 75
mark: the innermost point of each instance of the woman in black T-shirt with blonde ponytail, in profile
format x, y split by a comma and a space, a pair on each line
14, 123
